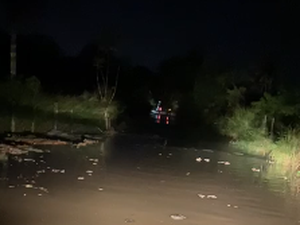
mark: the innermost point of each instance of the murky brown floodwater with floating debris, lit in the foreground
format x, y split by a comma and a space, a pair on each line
135, 179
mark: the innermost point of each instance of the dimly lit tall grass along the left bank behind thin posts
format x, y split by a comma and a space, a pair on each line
29, 103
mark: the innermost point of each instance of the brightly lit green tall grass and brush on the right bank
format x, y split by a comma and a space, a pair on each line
249, 134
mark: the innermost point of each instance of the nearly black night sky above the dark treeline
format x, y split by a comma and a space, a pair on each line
239, 31
